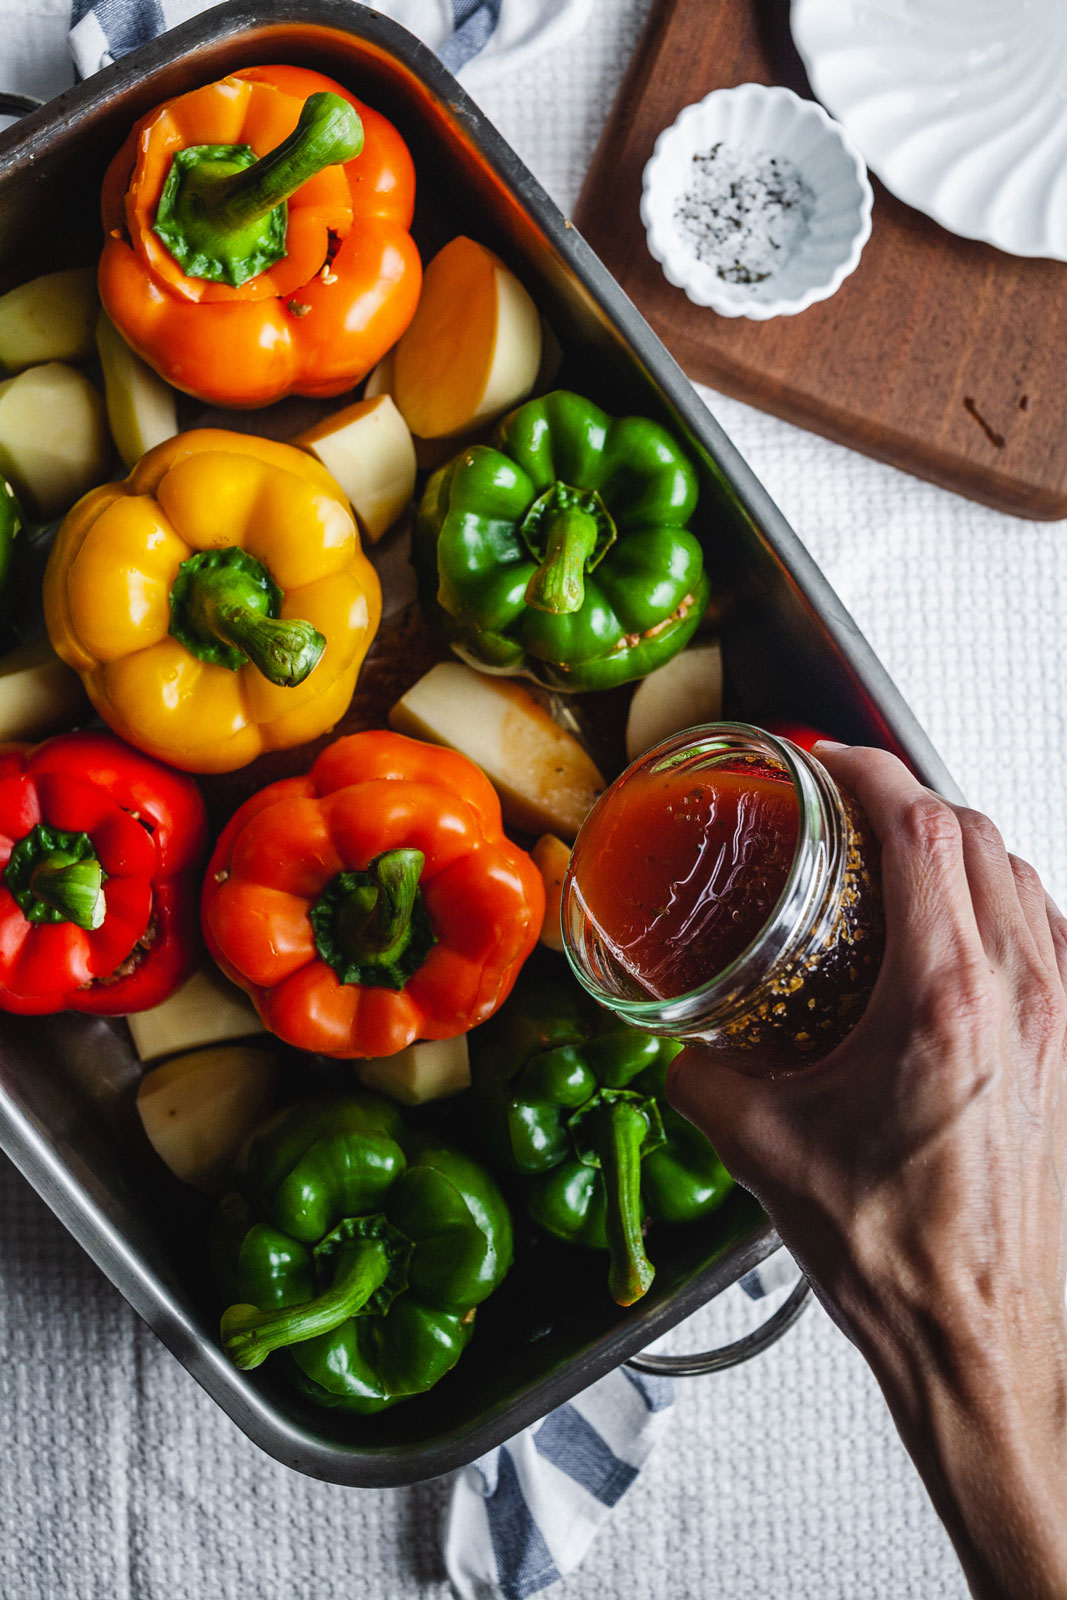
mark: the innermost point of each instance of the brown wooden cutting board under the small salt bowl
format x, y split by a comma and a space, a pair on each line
941, 356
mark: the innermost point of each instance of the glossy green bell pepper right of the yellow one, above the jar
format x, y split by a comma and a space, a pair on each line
561, 551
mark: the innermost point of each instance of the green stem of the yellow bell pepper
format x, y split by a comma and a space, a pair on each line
226, 604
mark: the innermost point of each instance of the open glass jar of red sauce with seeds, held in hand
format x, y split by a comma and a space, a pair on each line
801, 898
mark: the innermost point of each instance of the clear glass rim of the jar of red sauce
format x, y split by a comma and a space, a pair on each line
785, 922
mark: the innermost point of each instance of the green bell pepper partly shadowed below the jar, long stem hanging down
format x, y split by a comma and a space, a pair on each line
573, 1102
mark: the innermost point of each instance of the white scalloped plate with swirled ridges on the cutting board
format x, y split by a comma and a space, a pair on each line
959, 108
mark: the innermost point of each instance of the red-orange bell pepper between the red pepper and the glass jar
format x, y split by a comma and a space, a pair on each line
374, 902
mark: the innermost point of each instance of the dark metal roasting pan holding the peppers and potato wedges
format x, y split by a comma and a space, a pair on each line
68, 1084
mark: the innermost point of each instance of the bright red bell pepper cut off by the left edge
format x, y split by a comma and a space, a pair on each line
100, 849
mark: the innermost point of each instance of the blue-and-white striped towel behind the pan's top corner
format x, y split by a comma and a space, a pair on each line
486, 34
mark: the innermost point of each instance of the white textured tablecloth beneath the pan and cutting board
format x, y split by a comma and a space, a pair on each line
785, 1478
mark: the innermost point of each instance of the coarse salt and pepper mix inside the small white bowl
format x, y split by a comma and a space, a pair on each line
745, 214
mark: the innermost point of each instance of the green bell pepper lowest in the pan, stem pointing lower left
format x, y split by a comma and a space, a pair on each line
358, 1247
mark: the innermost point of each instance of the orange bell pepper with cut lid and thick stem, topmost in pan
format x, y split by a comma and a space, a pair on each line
332, 274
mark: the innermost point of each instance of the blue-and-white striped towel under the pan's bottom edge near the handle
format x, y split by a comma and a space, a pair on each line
526, 1514
